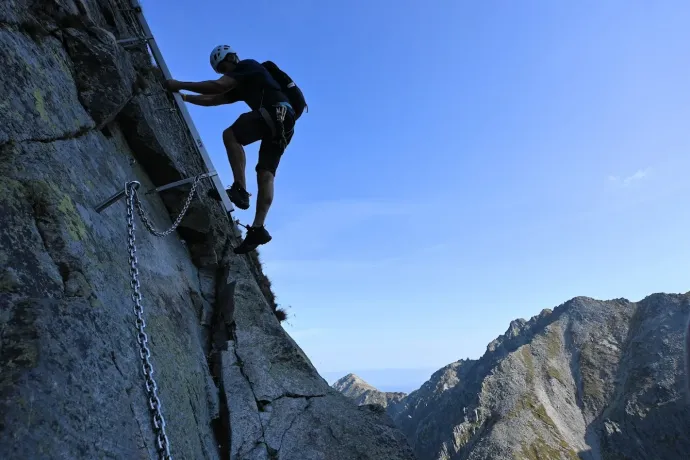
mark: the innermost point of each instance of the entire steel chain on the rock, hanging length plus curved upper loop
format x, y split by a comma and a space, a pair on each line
133, 203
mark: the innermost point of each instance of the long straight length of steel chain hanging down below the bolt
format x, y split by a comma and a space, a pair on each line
142, 338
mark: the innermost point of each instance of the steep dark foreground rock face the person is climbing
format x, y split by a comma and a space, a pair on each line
79, 117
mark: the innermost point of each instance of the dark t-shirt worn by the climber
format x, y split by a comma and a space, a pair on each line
255, 85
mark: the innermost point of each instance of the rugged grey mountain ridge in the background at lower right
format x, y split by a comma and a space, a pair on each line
591, 379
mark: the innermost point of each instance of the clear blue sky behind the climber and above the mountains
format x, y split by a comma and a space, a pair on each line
462, 164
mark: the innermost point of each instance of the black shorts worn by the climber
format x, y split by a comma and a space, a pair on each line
252, 126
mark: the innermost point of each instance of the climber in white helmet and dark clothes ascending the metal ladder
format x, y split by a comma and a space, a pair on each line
271, 120
